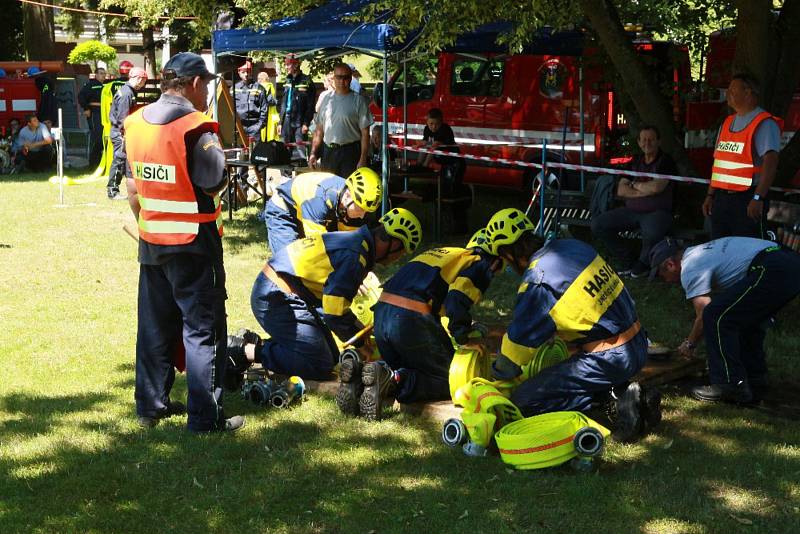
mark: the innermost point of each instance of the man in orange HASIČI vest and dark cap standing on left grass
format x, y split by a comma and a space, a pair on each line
175, 173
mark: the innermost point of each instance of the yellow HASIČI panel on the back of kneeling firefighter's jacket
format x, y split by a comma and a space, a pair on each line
586, 300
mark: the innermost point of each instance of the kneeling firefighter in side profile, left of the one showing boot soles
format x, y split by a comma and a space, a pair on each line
304, 293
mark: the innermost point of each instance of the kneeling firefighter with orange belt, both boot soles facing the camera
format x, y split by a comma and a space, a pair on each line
415, 347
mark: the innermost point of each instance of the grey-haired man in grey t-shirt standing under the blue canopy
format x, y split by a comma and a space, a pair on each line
342, 127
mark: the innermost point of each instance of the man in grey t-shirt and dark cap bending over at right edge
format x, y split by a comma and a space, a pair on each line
735, 285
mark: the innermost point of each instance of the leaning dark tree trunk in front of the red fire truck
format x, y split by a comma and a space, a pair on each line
639, 85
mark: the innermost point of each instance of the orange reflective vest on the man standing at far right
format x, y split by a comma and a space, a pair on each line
733, 157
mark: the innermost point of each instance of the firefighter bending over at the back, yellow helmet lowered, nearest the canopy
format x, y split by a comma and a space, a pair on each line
317, 202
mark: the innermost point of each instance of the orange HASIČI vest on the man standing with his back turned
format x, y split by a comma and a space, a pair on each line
170, 213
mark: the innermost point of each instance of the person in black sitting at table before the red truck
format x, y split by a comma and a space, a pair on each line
439, 135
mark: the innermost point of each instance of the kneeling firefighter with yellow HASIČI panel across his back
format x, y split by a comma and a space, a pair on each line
569, 291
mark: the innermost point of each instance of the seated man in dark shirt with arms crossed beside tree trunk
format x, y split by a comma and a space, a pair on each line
648, 206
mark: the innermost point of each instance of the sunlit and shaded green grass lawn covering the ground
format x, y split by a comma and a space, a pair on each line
73, 460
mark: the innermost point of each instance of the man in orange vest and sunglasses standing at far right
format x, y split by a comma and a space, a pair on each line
745, 159
